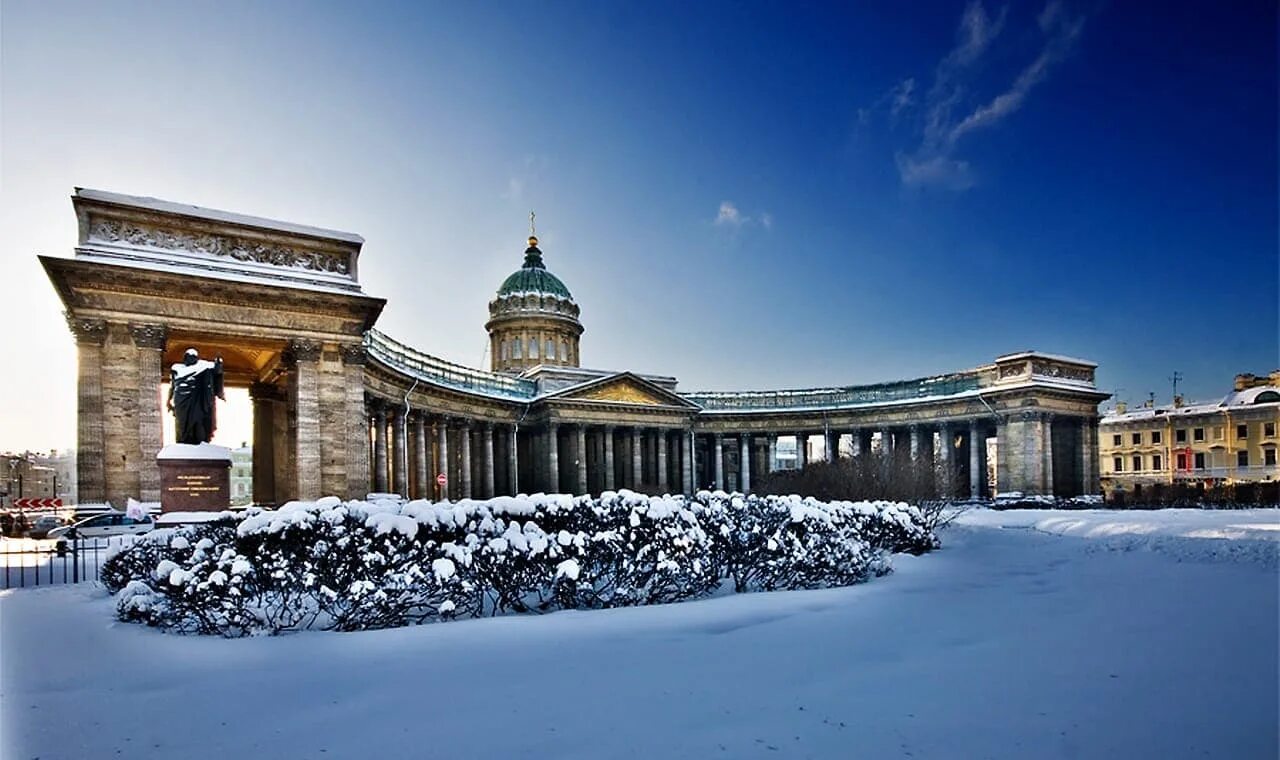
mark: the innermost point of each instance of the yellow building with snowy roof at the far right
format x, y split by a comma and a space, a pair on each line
1227, 443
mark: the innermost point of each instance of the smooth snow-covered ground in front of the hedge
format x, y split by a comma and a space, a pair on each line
1030, 635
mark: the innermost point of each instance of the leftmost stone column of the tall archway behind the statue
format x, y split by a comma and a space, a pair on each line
90, 431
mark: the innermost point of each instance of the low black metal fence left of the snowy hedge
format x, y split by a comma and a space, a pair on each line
28, 562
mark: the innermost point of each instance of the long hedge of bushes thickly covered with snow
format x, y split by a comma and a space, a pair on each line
349, 566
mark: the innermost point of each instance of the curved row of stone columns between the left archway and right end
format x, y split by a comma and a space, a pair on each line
482, 460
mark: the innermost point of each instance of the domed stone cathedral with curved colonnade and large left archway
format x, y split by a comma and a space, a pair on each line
341, 409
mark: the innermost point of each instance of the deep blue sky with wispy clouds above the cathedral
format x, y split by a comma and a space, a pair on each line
738, 195
